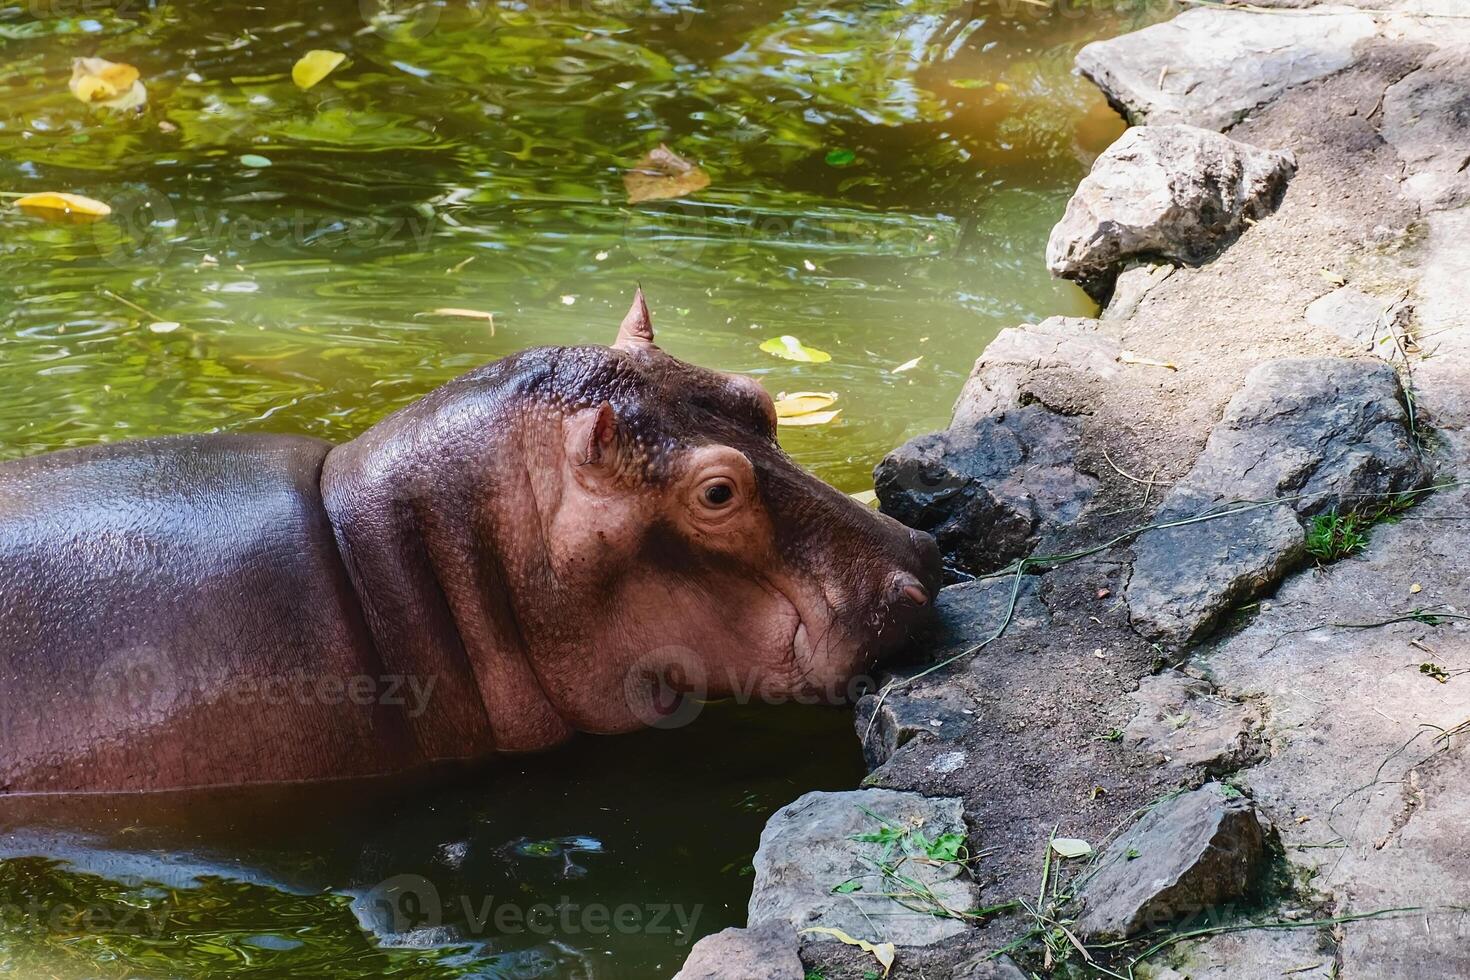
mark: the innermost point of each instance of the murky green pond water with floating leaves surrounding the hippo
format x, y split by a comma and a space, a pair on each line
883, 180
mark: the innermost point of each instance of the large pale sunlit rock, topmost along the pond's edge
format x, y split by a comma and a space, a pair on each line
1209, 67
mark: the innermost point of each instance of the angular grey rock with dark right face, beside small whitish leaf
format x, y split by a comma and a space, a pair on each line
1203, 850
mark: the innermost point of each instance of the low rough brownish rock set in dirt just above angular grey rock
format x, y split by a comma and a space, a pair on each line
1184, 724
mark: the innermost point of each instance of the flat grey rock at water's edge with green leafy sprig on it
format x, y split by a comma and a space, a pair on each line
808, 849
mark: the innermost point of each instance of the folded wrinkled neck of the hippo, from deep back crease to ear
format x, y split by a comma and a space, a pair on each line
433, 569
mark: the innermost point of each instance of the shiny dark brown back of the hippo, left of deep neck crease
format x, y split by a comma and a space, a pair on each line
168, 612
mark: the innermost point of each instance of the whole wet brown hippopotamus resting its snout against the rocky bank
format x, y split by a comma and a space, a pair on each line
568, 540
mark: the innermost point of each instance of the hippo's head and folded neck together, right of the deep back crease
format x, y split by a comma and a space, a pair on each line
599, 527
